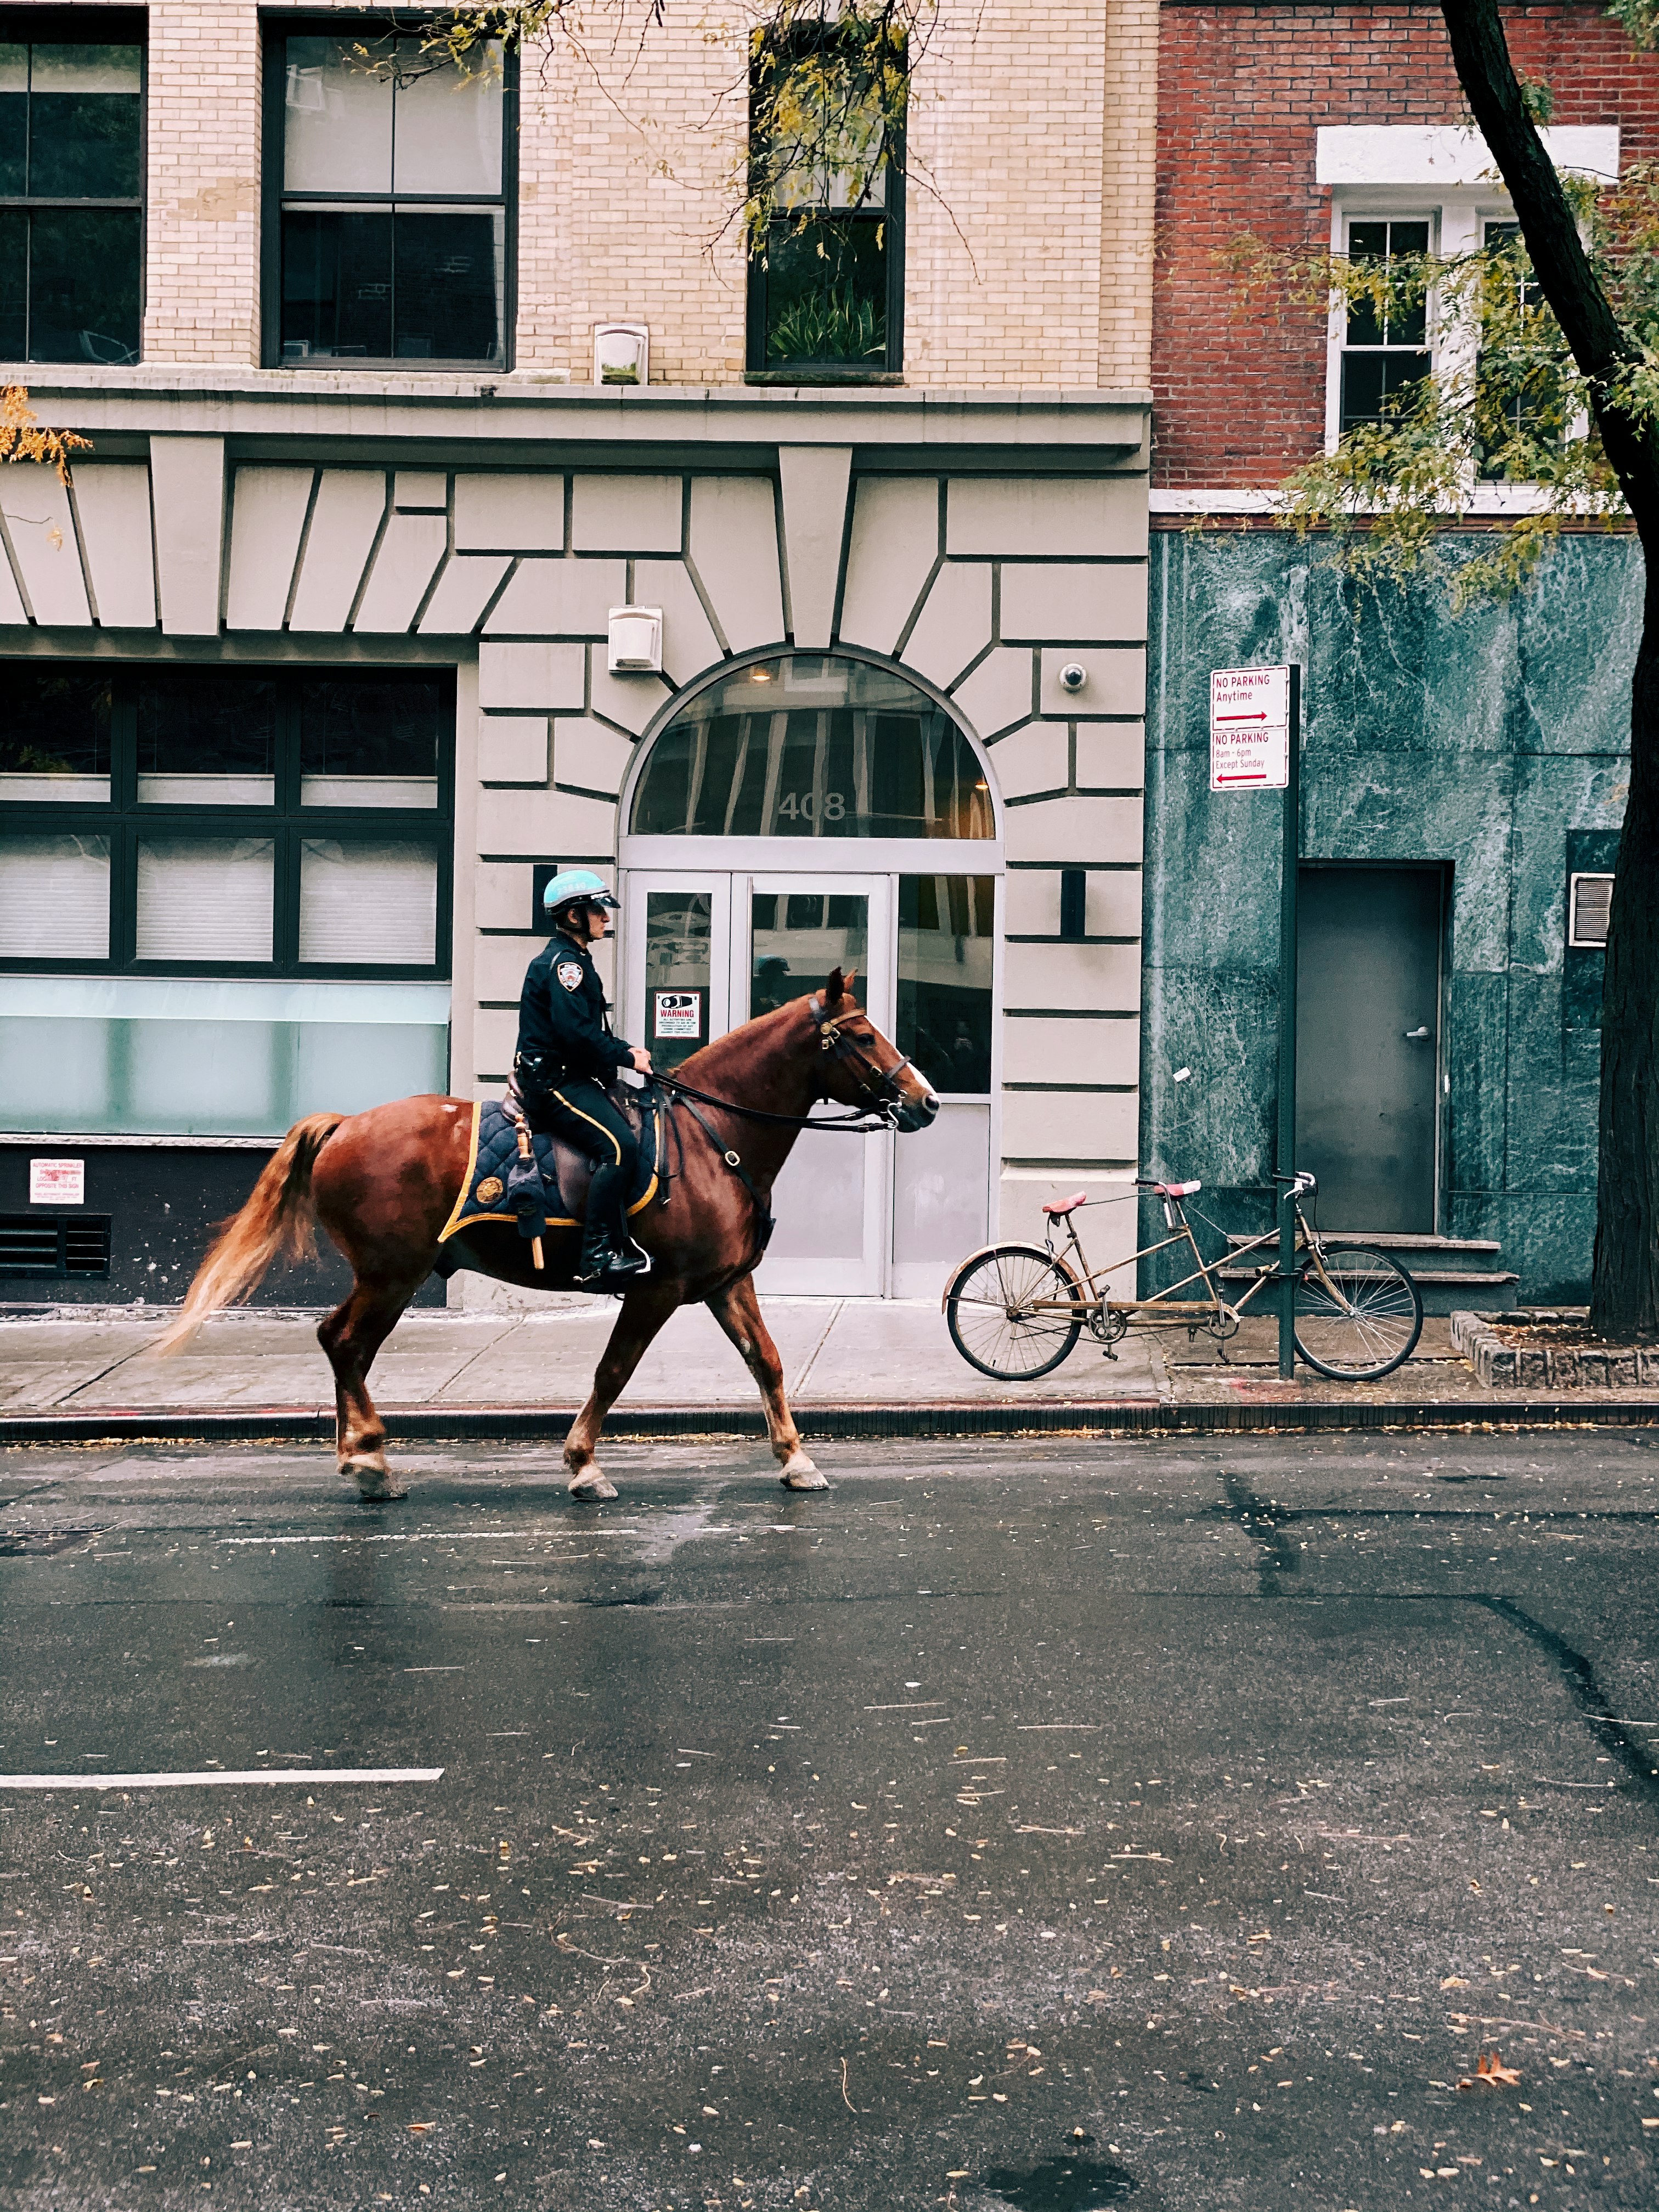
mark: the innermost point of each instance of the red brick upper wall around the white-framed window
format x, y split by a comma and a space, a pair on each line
1242, 94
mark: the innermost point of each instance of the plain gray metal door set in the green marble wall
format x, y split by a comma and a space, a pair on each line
1368, 1043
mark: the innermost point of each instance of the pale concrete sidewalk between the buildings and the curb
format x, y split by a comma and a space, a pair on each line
837, 1353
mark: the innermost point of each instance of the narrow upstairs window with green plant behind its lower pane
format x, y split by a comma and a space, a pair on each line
828, 273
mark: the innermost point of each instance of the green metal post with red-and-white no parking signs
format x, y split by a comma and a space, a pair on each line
1255, 747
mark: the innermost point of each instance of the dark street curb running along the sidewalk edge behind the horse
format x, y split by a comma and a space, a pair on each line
848, 1423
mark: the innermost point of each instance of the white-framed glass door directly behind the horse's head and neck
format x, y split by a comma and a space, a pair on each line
835, 1193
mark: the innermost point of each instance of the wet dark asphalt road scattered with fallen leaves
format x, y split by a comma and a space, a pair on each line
1023, 1824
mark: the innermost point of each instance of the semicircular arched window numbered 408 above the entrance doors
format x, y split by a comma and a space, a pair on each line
811, 747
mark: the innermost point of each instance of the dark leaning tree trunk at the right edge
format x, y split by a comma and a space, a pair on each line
1625, 1286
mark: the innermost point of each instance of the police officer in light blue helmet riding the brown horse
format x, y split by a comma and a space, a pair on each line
567, 1056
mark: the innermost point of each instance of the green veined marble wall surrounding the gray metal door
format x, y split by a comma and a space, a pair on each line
1485, 740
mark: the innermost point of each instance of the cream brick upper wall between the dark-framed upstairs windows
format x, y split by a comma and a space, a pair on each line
1030, 211
